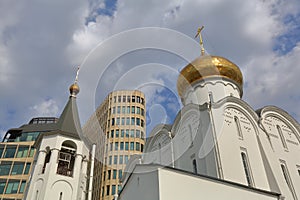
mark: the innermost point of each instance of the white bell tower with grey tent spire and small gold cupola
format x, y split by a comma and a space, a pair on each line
60, 168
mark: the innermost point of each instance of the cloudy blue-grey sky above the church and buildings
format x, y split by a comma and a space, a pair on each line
141, 45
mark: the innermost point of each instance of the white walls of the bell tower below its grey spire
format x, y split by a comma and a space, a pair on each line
50, 179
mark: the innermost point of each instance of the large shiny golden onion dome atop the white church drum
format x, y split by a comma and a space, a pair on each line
208, 66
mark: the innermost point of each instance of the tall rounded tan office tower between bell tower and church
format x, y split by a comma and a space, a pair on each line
118, 126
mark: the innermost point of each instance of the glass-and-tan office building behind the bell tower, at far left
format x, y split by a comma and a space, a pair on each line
16, 156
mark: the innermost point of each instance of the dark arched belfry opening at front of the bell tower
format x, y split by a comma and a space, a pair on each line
66, 158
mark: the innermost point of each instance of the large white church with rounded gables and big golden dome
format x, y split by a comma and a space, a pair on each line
218, 146
